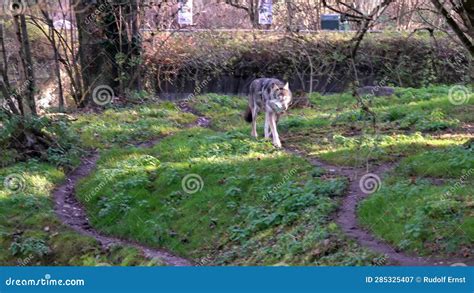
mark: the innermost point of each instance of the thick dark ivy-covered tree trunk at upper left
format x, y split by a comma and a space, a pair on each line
109, 45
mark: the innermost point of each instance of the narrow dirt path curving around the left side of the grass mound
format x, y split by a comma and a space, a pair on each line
72, 213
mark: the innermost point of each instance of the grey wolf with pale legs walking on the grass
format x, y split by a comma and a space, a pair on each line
272, 96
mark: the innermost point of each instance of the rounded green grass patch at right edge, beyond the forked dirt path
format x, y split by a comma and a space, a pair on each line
426, 204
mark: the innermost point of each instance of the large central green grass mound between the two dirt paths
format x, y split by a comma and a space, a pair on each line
257, 205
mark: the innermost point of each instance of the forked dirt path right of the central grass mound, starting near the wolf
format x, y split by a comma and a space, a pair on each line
346, 217
